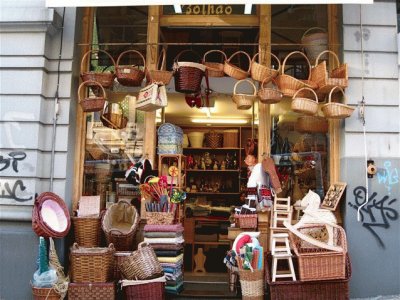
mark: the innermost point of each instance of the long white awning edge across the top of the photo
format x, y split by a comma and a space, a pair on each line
98, 3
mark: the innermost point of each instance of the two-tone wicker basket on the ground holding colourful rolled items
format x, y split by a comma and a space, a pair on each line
252, 284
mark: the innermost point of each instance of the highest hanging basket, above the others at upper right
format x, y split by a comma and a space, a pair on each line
314, 41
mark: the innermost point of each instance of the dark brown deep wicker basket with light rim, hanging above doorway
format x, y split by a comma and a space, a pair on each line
188, 75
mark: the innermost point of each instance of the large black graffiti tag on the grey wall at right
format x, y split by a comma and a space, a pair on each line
376, 214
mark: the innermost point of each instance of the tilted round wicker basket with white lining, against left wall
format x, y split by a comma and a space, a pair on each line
50, 202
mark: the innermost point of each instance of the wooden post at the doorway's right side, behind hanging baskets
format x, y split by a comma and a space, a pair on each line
264, 111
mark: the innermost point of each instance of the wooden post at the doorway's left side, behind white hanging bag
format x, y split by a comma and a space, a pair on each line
153, 33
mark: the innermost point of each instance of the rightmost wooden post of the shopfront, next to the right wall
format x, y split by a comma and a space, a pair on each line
334, 125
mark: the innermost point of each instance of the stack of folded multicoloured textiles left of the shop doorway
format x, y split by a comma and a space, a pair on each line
167, 242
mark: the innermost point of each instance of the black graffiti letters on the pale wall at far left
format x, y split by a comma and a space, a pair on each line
18, 189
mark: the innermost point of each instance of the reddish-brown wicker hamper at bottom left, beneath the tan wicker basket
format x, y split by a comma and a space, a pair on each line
91, 291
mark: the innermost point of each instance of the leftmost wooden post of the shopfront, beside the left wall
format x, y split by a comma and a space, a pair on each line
80, 132
